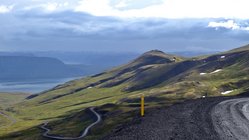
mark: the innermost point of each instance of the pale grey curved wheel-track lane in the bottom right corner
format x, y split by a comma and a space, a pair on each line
231, 119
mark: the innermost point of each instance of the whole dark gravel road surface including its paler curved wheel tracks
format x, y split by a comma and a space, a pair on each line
220, 118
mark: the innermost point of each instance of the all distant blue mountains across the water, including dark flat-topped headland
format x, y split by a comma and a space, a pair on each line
16, 66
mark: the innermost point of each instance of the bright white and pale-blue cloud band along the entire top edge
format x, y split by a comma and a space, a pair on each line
141, 8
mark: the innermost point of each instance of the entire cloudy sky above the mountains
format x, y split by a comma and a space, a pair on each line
123, 25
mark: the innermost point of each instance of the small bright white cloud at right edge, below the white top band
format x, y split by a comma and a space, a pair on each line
229, 24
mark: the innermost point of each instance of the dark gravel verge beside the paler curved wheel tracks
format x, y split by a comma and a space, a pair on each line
191, 120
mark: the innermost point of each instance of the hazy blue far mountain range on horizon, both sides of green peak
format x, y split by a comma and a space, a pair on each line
110, 59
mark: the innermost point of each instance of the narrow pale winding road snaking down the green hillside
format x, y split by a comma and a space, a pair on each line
46, 133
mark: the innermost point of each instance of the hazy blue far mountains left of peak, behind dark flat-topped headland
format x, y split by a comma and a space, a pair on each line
90, 62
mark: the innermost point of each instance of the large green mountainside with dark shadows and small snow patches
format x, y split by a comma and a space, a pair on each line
163, 78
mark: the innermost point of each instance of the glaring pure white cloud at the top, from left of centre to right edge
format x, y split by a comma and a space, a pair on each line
167, 8
